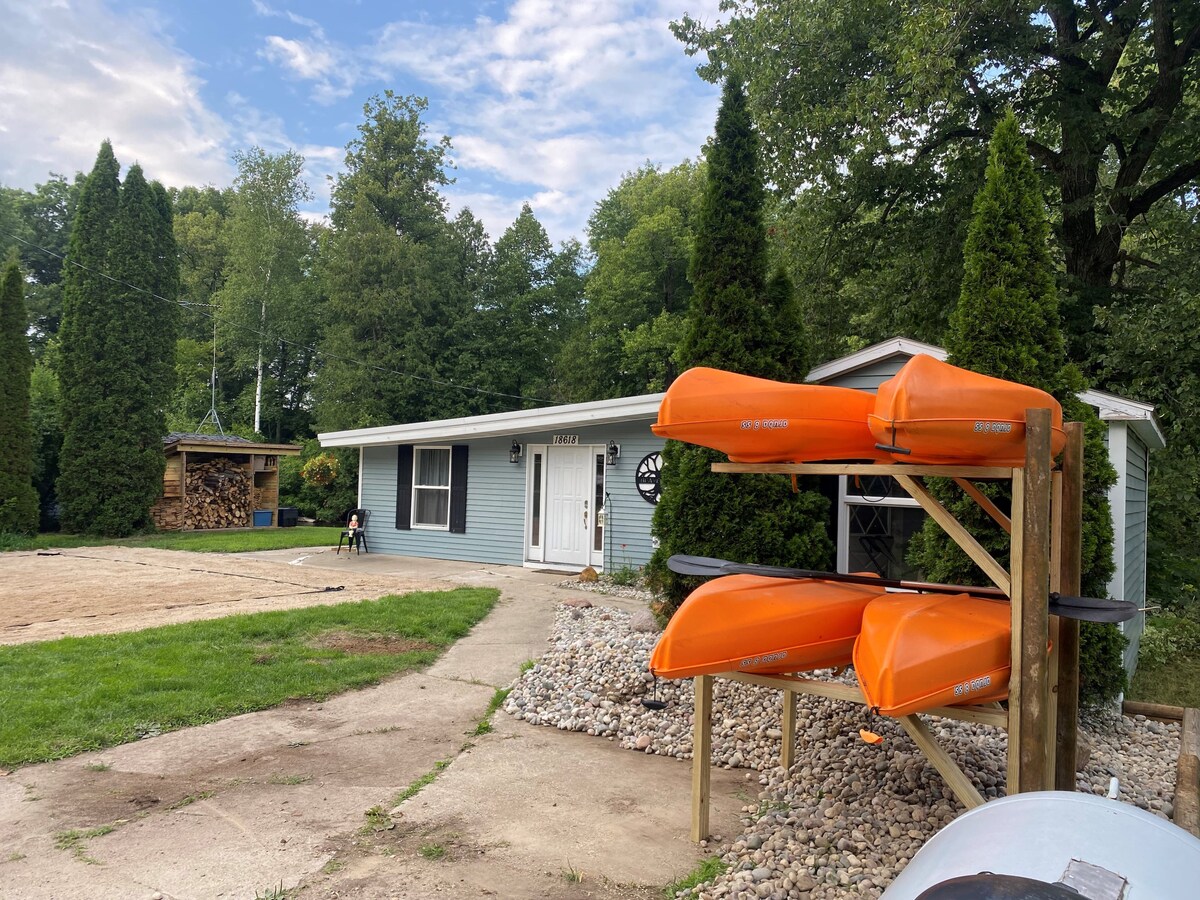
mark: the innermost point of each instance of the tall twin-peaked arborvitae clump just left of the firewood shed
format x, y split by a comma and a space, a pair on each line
118, 334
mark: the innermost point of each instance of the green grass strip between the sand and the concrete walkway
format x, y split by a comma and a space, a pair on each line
63, 698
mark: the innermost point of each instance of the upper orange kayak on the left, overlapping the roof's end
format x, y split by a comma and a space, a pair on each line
759, 421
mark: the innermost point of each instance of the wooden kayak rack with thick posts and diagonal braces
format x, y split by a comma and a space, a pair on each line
1043, 700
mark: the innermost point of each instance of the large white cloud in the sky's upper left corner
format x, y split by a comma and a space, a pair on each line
63, 92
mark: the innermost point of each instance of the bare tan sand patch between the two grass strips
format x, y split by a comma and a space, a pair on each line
105, 590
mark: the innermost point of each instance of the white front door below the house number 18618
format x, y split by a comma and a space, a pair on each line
569, 502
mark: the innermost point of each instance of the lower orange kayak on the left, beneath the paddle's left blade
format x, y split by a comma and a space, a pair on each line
752, 623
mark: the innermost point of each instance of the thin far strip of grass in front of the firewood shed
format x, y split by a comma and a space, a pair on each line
225, 542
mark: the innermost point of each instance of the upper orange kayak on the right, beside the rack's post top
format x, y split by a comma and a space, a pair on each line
939, 413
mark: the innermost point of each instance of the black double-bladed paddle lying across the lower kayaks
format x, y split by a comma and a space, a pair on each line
1085, 609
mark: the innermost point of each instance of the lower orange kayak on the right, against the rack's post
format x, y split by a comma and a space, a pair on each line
922, 651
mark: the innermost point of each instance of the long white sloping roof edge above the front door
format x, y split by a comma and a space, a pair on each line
523, 422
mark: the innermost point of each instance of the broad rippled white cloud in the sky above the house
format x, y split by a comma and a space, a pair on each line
560, 99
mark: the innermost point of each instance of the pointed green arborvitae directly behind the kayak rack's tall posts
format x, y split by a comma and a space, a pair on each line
1007, 326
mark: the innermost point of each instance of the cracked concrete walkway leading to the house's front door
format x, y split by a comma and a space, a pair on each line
279, 800
